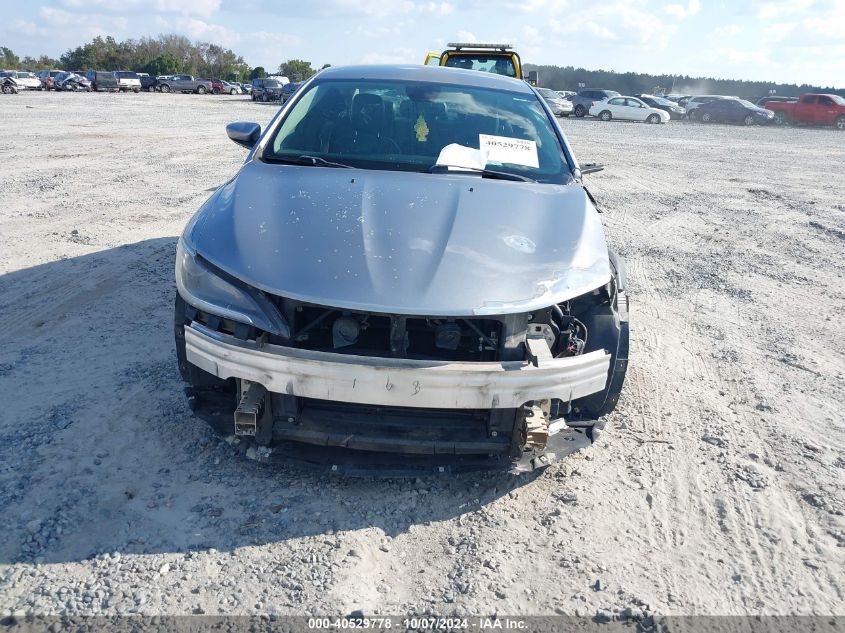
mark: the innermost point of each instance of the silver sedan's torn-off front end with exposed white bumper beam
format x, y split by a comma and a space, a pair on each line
389, 394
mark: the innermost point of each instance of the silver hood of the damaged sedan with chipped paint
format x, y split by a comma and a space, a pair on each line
402, 242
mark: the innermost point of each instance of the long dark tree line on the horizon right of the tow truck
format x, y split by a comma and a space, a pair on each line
569, 78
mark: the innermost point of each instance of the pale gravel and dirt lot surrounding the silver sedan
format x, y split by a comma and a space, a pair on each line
717, 489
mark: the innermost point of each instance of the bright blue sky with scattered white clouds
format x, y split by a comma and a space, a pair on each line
794, 41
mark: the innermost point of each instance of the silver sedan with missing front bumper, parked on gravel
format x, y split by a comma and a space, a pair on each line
406, 276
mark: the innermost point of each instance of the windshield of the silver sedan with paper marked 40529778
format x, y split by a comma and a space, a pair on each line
402, 125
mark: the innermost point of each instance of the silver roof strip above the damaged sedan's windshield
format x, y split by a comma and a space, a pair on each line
433, 74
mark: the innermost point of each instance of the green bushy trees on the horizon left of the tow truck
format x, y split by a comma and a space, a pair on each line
163, 55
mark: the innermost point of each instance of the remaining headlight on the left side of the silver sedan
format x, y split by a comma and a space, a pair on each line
217, 293
